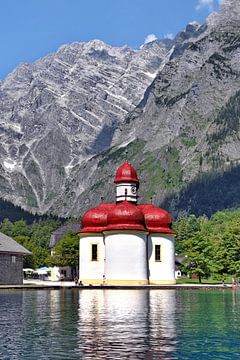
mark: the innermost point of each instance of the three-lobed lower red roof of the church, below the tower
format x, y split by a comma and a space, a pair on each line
126, 216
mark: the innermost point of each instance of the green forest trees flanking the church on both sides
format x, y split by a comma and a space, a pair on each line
211, 245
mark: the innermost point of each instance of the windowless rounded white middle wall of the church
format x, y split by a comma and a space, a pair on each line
126, 257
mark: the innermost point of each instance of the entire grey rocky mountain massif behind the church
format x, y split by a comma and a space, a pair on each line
68, 120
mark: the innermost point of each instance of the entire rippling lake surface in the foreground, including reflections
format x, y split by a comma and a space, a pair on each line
119, 324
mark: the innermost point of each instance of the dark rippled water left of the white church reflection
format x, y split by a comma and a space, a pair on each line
38, 325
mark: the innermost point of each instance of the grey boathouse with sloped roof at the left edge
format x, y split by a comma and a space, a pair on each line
11, 261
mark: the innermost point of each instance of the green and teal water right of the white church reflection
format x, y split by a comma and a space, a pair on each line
208, 325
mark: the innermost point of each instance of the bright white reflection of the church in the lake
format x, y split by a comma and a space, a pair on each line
127, 324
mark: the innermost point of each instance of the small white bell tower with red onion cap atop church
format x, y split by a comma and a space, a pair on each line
127, 183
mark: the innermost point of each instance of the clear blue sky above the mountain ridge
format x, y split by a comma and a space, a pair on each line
30, 29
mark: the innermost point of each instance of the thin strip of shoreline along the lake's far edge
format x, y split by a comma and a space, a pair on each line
49, 285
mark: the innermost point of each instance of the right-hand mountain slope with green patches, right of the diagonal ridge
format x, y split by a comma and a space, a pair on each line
184, 135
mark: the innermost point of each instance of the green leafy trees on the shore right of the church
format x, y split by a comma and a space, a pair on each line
211, 246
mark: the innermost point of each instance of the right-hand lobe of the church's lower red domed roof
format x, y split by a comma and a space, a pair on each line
156, 219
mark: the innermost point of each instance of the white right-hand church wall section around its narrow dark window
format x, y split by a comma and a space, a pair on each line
164, 269
